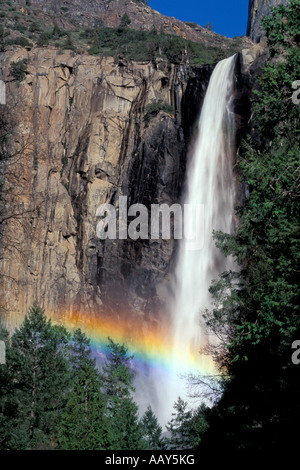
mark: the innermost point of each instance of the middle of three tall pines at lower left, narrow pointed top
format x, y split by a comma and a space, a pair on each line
83, 425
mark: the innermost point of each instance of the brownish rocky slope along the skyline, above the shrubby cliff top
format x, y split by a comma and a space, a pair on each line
71, 14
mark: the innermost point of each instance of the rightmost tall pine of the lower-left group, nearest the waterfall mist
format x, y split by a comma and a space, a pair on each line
122, 412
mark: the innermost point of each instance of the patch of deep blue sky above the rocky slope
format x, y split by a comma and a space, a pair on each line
229, 17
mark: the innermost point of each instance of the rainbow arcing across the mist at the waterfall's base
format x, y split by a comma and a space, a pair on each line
150, 342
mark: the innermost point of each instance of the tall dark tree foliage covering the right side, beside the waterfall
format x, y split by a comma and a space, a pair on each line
256, 315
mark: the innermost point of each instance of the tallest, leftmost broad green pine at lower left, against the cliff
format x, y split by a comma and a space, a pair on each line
37, 367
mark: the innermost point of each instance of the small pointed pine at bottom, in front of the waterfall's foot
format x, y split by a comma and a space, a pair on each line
178, 426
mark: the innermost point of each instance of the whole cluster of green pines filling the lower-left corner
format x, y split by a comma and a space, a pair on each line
53, 396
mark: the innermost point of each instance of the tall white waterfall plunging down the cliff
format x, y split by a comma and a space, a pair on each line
209, 183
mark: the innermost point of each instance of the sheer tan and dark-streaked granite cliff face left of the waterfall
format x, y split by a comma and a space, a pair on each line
81, 140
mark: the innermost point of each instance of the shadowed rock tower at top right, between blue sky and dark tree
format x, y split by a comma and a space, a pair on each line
257, 10
